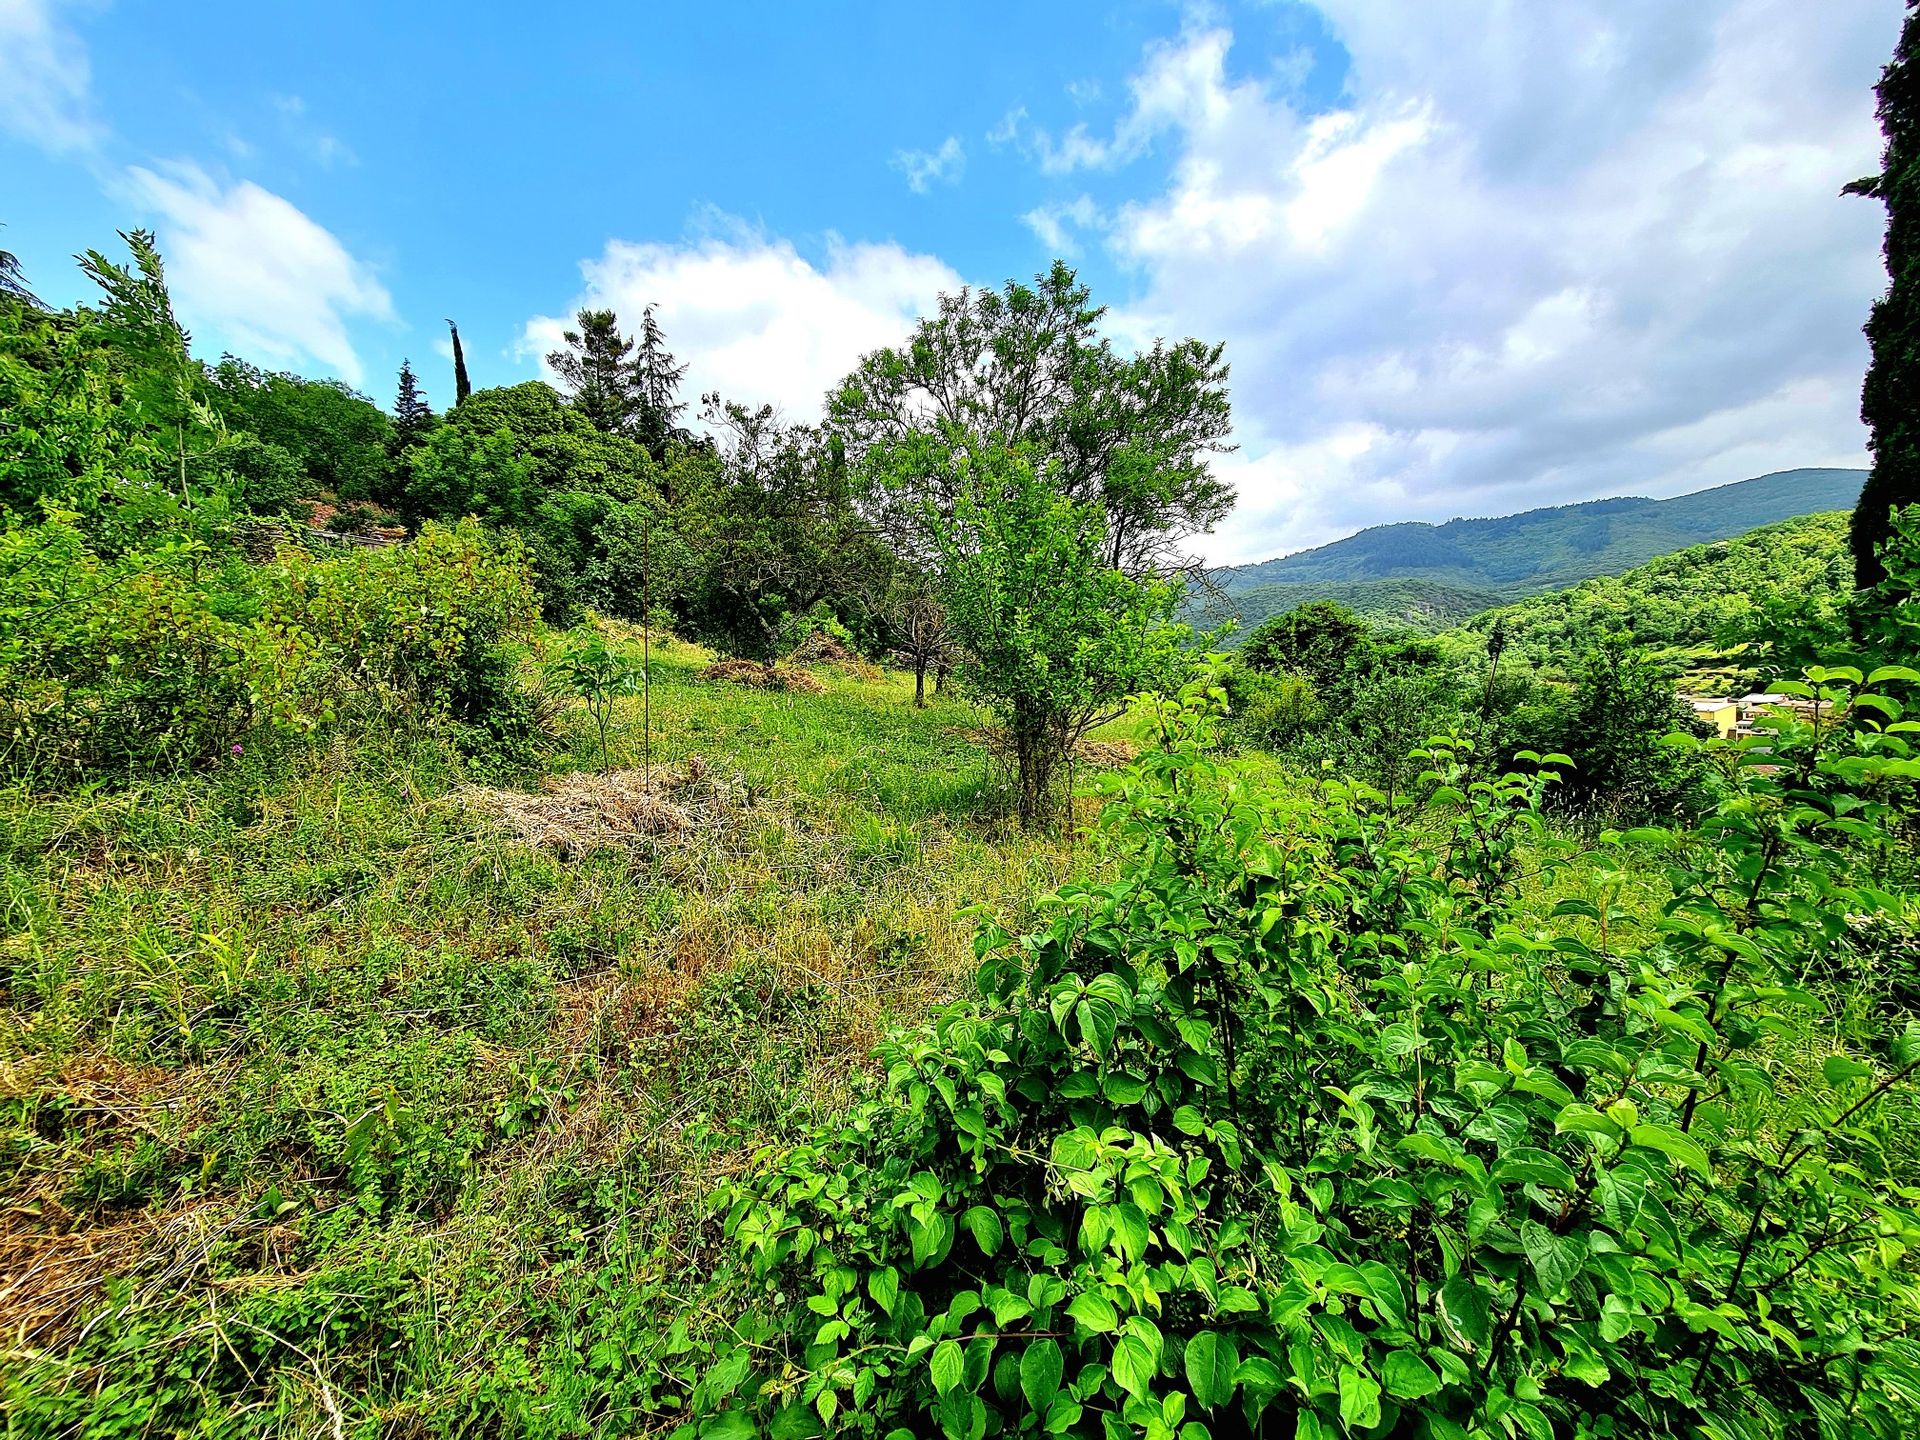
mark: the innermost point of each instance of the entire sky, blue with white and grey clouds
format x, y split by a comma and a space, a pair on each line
1466, 256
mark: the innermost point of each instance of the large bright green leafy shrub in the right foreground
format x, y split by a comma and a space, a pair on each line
1295, 1128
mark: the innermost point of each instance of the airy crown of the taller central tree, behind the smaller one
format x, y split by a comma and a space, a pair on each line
1026, 366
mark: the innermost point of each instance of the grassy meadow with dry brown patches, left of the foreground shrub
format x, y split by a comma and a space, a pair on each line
322, 1090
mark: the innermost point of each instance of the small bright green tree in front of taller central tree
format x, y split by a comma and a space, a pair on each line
1055, 638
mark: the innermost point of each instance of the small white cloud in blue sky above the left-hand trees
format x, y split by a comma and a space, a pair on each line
260, 274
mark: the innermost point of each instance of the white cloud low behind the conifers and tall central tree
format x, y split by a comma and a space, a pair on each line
752, 316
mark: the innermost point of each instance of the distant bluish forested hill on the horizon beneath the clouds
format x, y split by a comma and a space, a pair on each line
1539, 550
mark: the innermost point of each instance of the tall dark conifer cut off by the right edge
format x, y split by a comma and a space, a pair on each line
1890, 400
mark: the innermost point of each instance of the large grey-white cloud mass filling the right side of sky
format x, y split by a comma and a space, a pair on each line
1533, 254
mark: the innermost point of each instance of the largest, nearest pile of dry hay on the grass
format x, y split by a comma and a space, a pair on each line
585, 811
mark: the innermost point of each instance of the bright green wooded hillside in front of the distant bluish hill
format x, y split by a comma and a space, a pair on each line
1696, 606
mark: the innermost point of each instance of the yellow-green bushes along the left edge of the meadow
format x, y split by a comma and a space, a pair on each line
170, 656
